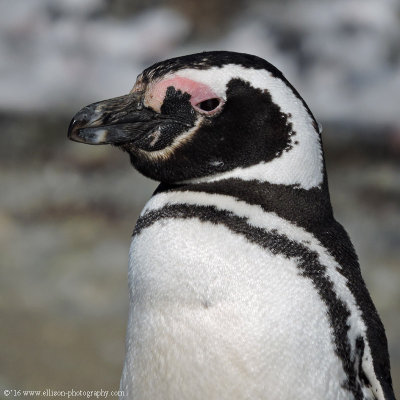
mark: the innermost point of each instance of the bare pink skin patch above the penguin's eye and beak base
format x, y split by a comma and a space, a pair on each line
198, 91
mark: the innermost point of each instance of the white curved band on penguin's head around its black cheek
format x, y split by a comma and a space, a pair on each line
302, 165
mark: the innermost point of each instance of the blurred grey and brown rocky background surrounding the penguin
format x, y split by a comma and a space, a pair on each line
67, 210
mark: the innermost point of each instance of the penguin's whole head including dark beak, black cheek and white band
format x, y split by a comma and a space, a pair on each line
210, 116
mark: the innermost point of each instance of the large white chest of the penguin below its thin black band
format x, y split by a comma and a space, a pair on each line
214, 316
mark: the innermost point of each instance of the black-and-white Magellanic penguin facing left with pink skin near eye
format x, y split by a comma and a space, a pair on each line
242, 284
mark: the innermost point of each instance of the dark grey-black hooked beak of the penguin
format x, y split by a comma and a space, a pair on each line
115, 121
